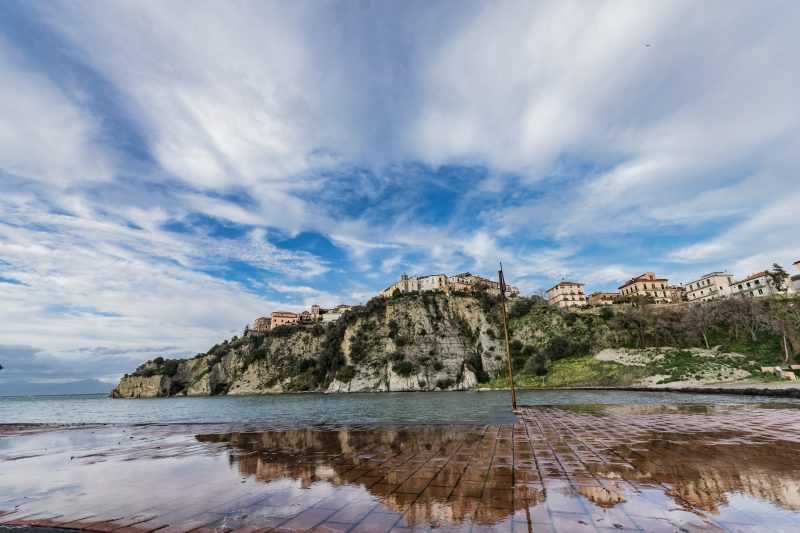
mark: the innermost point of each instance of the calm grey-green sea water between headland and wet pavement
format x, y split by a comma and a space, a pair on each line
313, 409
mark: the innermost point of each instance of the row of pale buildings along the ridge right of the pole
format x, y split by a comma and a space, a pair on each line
711, 286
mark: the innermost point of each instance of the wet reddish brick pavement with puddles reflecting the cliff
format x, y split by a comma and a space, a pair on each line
612, 468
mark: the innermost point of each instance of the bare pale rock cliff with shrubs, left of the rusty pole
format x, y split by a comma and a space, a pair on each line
414, 342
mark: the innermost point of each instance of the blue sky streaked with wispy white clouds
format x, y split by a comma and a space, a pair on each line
170, 171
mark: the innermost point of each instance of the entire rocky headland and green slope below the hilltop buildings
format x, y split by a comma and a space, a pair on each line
443, 342
